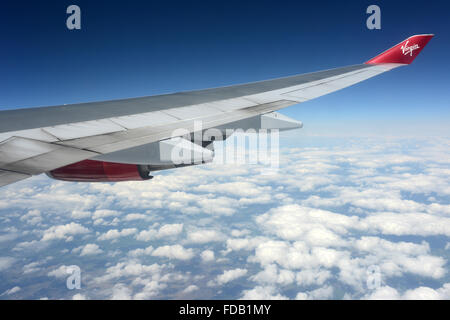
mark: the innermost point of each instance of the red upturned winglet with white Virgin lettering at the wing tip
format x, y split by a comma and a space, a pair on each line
404, 52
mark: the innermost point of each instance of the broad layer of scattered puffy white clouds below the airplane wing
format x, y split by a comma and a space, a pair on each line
338, 212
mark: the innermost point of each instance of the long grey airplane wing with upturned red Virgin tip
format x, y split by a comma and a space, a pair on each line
39, 140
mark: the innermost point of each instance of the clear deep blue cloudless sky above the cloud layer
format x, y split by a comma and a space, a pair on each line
143, 48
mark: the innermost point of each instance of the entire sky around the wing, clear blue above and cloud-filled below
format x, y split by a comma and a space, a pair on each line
363, 187
